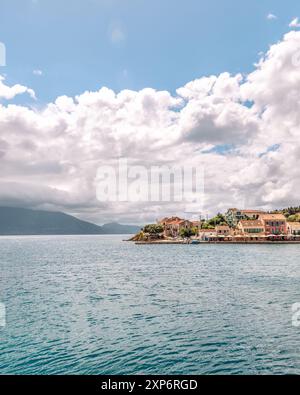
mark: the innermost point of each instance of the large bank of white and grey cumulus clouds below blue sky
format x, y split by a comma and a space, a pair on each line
49, 157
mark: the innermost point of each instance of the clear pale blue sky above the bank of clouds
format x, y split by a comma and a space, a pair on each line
83, 45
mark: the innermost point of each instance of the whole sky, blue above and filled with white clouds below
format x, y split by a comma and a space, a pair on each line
209, 84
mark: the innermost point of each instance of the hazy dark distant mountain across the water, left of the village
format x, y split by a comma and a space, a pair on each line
20, 221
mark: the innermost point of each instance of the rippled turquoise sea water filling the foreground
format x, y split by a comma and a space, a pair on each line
97, 305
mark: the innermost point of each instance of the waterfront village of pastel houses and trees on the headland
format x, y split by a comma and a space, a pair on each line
236, 226
